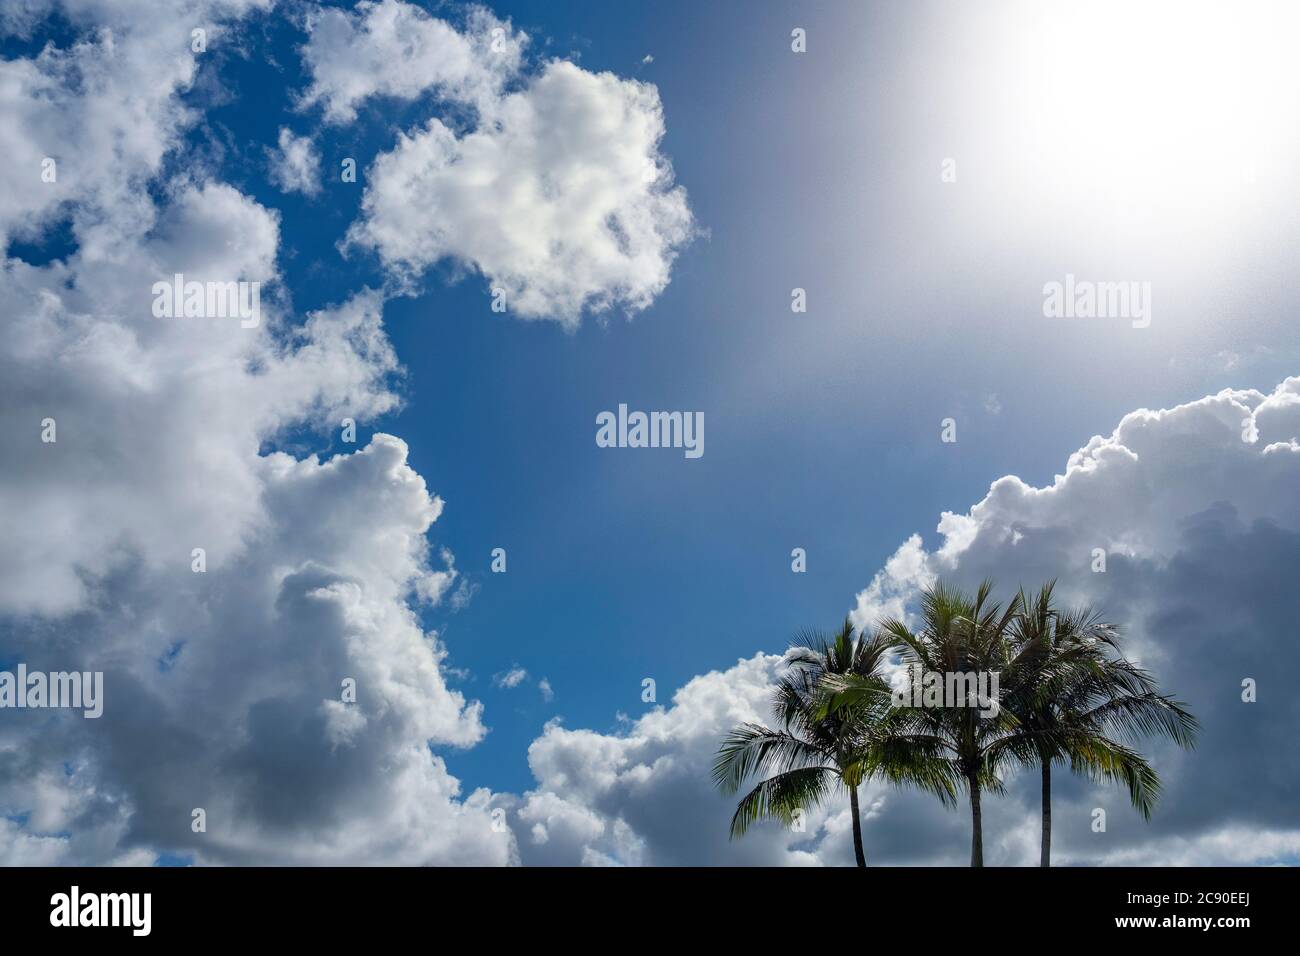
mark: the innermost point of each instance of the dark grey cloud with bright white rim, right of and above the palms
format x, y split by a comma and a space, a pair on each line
1195, 512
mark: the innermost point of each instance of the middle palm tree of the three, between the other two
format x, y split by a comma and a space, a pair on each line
957, 635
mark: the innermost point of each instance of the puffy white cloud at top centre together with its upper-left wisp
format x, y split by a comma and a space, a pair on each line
557, 192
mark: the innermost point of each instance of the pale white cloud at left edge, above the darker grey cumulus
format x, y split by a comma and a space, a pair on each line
192, 400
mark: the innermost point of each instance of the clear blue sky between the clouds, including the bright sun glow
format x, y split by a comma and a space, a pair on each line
817, 171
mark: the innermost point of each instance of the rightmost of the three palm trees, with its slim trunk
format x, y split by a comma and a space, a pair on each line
1074, 694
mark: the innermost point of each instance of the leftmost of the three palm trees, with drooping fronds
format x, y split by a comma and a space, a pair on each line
800, 764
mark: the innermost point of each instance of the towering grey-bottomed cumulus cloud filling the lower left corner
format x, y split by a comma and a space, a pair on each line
224, 691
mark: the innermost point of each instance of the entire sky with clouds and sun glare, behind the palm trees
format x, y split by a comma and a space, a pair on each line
647, 185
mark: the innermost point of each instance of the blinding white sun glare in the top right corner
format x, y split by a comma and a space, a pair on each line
1171, 113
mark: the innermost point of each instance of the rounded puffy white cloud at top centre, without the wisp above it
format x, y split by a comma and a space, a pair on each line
564, 201
